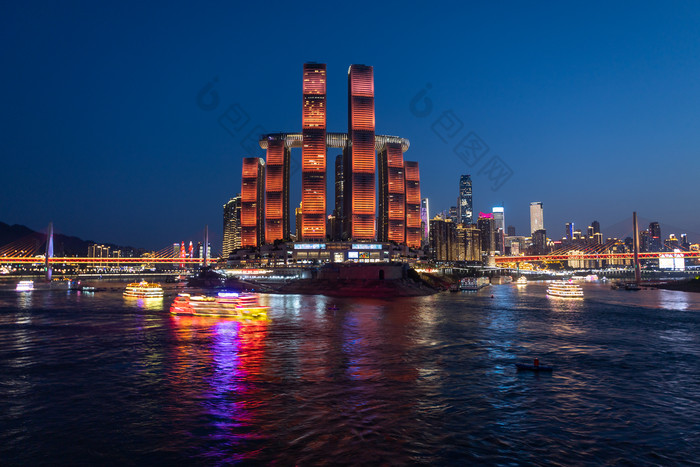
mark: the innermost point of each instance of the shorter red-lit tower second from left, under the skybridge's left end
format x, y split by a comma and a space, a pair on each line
277, 192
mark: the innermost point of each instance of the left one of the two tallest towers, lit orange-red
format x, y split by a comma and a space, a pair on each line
313, 153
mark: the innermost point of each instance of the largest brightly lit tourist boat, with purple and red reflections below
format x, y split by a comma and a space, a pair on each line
225, 304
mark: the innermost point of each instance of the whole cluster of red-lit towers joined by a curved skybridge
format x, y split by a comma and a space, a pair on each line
357, 214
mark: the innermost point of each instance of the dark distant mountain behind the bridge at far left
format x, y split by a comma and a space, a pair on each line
64, 245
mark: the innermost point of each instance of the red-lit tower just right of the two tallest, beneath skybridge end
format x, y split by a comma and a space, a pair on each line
392, 195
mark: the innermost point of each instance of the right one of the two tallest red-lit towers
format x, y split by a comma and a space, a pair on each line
361, 163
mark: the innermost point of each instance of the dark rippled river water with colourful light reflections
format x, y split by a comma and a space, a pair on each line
100, 379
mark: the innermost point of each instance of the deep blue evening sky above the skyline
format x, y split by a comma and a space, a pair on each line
594, 107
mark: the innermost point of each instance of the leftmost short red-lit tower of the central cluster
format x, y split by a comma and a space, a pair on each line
252, 202
